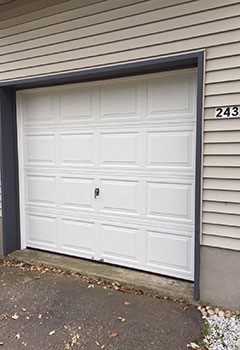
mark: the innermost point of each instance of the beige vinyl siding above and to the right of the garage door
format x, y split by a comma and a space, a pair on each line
75, 35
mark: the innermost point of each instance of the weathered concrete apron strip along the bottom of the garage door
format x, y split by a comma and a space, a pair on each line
147, 282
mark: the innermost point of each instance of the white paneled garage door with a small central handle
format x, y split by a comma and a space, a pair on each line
108, 169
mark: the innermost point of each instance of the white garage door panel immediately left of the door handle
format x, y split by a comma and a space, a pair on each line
76, 192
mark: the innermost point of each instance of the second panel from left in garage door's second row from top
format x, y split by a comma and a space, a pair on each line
77, 149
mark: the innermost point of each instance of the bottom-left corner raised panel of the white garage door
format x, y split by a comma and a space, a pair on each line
42, 231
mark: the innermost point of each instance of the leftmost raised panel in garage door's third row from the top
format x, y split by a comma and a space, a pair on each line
41, 190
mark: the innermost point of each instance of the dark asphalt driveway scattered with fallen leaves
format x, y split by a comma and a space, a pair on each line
42, 310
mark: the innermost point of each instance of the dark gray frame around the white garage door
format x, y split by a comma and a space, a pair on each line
8, 134
